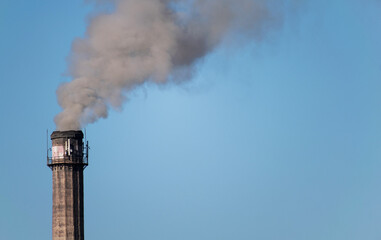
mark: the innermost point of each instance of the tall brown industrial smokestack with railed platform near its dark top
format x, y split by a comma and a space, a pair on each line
69, 159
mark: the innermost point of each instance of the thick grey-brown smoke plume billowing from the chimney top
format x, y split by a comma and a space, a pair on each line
158, 41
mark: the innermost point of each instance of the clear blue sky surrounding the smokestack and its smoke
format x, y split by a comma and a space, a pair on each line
278, 139
